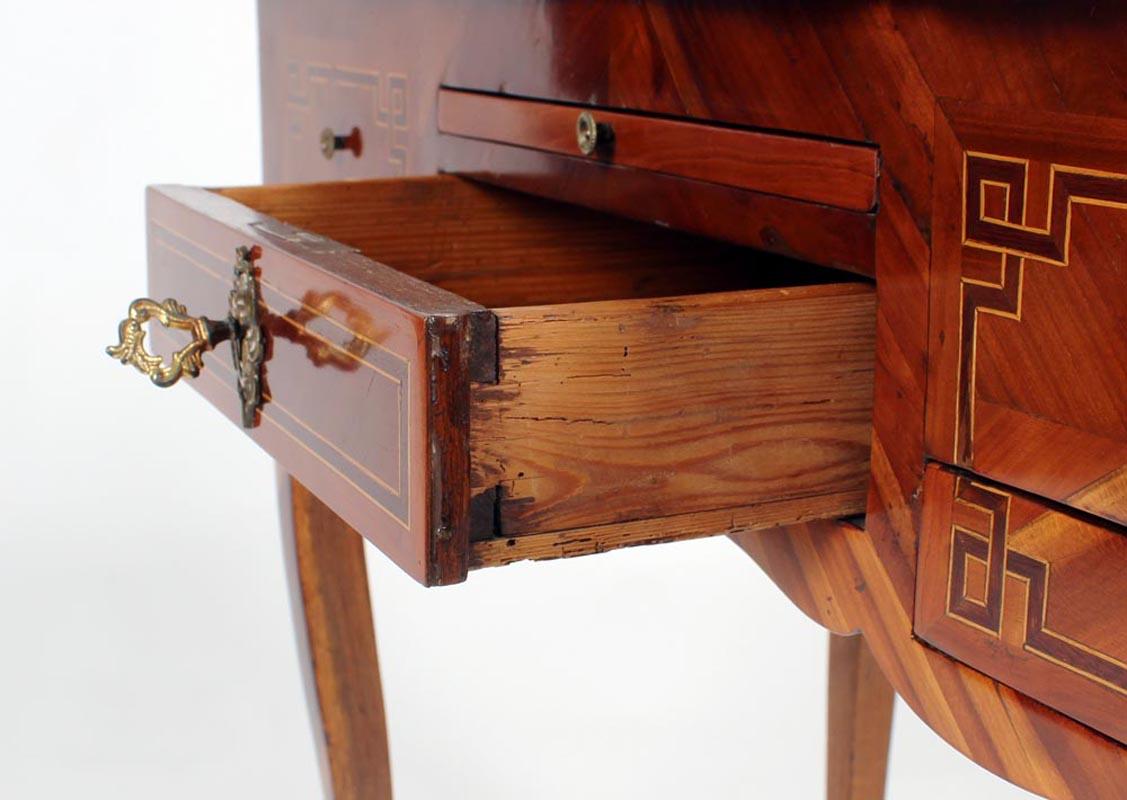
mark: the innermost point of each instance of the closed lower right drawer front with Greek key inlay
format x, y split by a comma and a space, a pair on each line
1027, 594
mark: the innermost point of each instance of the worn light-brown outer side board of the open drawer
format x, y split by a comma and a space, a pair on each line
608, 413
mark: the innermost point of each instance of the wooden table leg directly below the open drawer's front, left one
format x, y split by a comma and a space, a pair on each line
333, 617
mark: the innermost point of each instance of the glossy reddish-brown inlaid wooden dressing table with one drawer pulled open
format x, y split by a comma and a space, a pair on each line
841, 281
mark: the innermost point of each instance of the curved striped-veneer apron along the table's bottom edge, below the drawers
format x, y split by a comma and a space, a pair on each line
835, 574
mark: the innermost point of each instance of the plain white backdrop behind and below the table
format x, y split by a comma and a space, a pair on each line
147, 645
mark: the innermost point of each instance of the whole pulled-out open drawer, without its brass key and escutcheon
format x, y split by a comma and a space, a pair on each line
472, 377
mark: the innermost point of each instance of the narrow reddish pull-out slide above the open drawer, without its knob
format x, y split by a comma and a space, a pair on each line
809, 170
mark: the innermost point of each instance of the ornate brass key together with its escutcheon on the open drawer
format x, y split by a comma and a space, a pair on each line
242, 327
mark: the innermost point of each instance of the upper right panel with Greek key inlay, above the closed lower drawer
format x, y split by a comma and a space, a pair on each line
1028, 354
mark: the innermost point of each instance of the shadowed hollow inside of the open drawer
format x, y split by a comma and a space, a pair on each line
501, 248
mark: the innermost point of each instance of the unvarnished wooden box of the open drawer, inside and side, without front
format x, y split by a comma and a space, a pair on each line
649, 385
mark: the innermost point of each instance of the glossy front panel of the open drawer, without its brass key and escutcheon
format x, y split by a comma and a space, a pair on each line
356, 353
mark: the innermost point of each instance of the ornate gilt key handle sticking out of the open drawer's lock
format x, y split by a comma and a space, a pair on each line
130, 350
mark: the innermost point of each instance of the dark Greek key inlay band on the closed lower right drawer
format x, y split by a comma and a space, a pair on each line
981, 534
